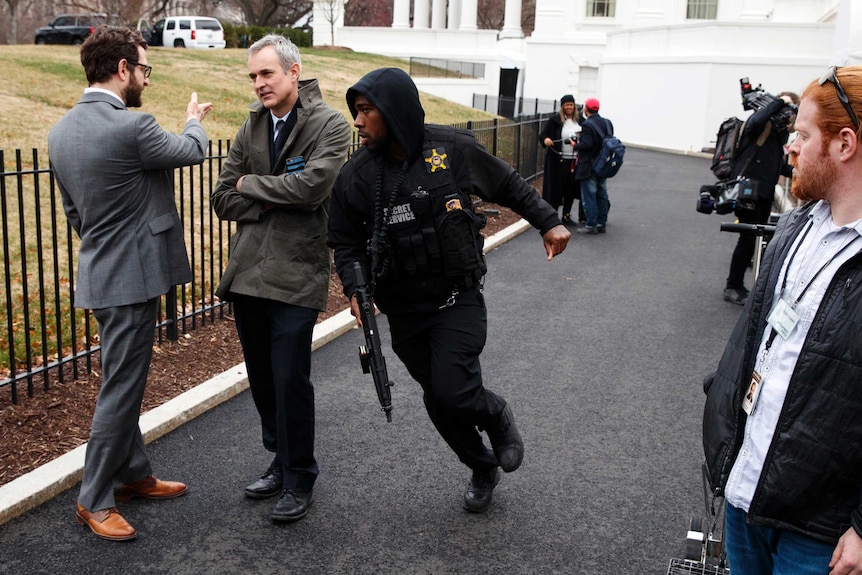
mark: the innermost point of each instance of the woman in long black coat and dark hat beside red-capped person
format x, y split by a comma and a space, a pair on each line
560, 132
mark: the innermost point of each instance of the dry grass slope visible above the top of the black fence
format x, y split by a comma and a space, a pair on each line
40, 83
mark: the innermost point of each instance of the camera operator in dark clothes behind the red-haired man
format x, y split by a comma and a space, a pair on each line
761, 160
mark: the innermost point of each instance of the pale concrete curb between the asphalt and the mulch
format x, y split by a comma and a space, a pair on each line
49, 480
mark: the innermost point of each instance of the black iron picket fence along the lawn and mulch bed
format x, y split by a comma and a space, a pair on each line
45, 339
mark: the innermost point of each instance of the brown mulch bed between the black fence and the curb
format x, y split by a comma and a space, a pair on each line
40, 428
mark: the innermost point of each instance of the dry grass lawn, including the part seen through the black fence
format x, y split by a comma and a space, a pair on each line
40, 84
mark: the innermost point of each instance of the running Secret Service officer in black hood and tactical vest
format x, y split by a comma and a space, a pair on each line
402, 208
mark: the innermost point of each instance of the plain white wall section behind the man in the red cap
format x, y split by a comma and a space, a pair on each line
670, 87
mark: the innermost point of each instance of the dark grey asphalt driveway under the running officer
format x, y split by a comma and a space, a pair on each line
601, 354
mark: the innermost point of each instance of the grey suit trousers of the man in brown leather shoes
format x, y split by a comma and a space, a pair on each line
115, 452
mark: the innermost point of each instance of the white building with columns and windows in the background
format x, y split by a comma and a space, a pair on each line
666, 71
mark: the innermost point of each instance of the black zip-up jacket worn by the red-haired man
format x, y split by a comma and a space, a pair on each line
812, 474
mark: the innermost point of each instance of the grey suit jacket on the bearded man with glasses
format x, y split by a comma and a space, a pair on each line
113, 170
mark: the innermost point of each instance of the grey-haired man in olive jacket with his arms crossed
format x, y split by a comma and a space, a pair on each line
276, 184
